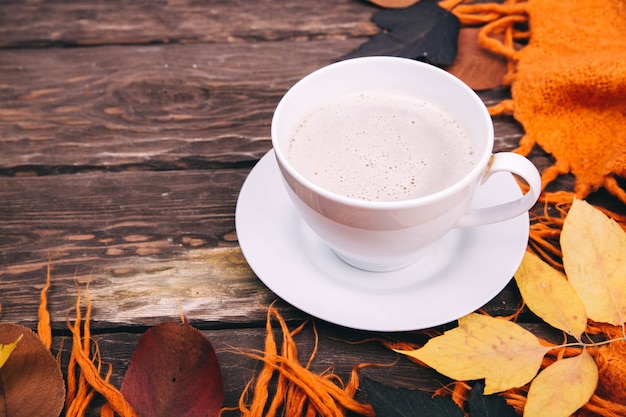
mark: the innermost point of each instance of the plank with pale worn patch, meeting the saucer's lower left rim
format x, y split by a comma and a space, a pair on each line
212, 288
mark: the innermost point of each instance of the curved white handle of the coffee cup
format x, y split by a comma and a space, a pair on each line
516, 164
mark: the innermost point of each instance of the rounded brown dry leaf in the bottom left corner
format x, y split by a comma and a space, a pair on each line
31, 380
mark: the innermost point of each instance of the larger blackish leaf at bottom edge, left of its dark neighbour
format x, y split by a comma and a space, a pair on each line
402, 402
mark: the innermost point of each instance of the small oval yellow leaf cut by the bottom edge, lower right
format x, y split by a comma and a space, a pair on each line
563, 387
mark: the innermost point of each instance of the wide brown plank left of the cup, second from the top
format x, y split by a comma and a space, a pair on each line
166, 107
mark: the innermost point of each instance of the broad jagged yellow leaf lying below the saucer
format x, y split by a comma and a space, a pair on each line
502, 352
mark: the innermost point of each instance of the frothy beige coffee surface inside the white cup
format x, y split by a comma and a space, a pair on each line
380, 146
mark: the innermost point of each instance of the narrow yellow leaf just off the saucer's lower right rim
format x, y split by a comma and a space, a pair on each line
550, 296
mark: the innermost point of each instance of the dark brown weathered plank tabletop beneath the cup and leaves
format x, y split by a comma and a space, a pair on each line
126, 132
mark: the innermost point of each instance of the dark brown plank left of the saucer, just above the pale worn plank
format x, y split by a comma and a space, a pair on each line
119, 214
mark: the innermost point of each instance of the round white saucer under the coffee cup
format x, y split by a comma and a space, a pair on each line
458, 275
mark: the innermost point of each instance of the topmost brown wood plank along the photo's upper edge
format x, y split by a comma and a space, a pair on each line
45, 23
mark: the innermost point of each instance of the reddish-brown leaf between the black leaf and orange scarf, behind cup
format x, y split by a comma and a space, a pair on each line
475, 66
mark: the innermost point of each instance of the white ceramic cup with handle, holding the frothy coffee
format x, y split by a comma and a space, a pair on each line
384, 235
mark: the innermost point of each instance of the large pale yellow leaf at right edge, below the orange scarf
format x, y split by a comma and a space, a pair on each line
594, 258
